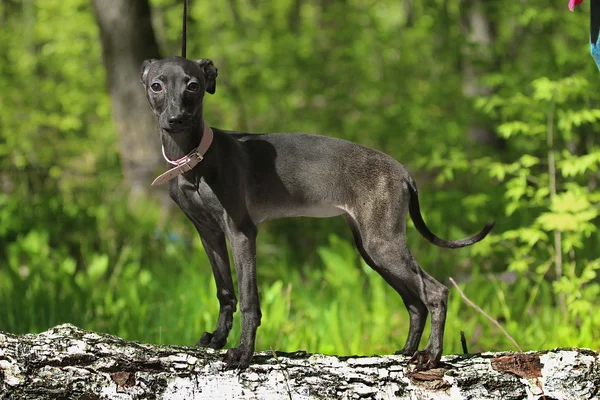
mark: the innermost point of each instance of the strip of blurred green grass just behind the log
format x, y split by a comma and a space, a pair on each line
341, 307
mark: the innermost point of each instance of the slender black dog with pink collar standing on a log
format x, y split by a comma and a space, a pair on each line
226, 183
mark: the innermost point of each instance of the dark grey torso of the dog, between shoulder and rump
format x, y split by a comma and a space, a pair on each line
319, 176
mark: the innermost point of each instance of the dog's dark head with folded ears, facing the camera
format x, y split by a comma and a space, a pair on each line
175, 88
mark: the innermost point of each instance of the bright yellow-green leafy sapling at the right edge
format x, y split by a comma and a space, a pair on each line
549, 190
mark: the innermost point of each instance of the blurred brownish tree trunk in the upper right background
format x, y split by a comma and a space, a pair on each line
477, 57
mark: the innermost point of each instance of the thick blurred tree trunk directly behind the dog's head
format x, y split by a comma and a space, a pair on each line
127, 40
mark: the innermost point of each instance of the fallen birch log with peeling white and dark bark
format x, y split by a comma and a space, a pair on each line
69, 363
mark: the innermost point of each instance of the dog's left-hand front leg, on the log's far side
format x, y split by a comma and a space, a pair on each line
216, 250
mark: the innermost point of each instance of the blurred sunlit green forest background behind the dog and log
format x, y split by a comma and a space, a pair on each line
492, 105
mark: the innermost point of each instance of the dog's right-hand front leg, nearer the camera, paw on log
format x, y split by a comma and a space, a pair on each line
243, 247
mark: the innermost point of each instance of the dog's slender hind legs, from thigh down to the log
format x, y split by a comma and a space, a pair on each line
379, 230
